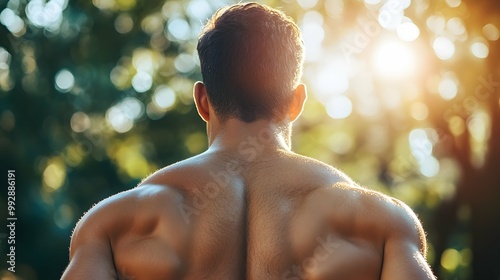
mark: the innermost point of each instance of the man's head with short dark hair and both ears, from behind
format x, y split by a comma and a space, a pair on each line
251, 60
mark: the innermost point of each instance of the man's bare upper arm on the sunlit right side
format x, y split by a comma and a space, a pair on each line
405, 246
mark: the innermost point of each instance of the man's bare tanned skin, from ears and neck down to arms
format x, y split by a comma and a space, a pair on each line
248, 208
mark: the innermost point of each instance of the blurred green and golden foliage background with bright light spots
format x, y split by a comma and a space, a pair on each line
403, 97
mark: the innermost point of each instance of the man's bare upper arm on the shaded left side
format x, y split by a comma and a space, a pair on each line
90, 251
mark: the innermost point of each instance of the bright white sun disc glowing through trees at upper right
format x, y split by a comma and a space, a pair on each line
394, 60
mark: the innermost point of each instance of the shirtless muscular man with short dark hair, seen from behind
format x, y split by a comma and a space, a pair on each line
248, 207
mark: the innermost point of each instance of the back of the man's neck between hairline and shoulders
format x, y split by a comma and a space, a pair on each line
235, 135
